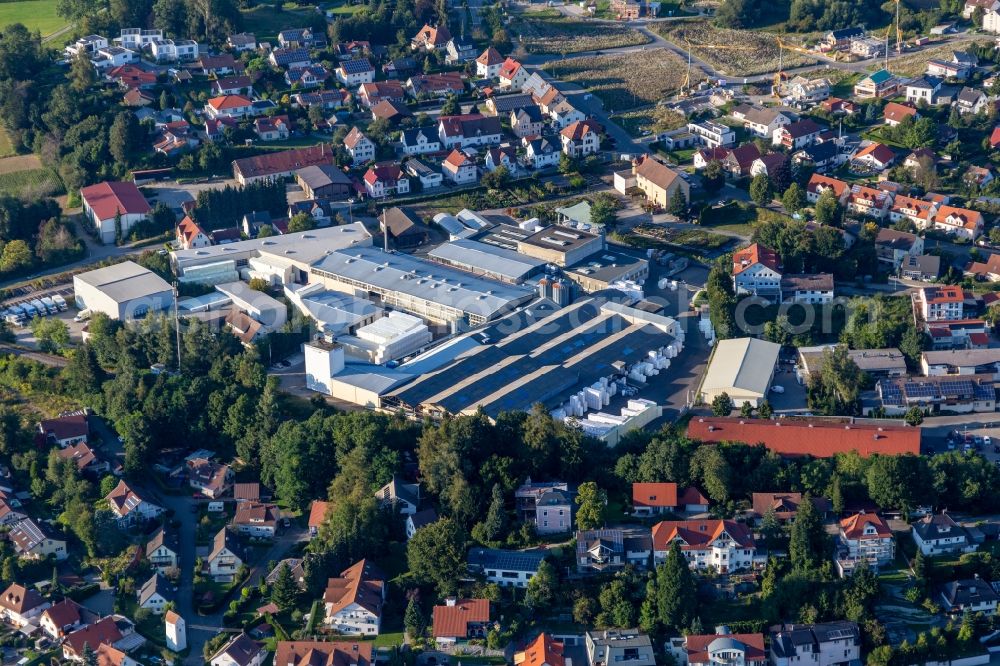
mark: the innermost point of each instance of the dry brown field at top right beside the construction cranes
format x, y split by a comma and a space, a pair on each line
731, 52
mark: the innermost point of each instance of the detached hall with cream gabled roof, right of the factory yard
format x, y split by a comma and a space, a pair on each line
742, 368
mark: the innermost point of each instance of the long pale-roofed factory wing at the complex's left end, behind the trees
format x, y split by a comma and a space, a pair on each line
282, 259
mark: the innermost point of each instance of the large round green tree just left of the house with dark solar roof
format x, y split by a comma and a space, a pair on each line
436, 554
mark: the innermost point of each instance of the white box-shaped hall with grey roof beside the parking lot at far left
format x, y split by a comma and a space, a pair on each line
123, 291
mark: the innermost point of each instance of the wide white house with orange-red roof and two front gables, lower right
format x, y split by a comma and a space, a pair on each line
725, 545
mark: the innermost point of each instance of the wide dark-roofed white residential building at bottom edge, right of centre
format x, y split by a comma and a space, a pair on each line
835, 643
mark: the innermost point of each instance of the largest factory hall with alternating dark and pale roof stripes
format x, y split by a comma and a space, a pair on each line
539, 354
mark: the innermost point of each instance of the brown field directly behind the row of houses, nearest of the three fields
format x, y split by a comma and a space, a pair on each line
628, 80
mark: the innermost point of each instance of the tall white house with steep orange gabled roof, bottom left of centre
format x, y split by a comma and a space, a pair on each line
353, 601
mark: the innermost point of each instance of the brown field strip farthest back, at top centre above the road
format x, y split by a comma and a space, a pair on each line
548, 31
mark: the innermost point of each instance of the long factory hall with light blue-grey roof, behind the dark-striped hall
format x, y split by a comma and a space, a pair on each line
436, 293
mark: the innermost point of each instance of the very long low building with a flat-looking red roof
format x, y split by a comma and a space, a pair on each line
808, 437
